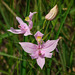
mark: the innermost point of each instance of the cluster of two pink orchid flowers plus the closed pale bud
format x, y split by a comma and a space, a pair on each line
42, 49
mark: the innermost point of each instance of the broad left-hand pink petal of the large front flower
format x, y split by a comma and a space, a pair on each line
28, 47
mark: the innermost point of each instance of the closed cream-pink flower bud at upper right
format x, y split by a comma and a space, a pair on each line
52, 14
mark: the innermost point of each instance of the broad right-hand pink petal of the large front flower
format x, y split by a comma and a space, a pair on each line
50, 45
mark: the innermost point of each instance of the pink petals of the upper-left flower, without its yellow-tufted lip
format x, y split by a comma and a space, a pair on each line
24, 29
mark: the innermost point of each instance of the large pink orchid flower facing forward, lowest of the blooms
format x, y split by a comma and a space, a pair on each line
40, 51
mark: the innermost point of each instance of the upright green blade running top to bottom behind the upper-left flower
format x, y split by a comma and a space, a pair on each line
23, 63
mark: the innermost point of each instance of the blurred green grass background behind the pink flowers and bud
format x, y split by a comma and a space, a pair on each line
13, 60
